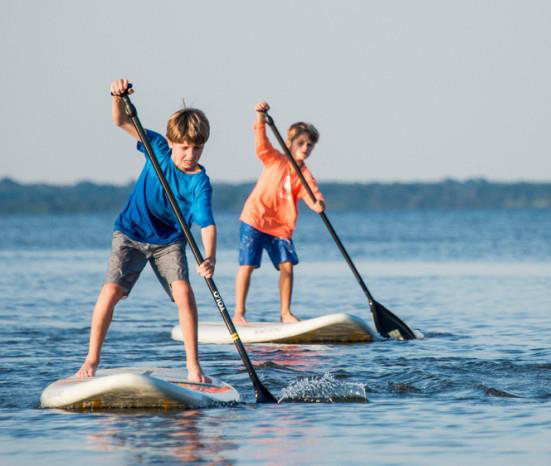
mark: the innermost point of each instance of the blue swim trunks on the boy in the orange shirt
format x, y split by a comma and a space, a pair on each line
252, 242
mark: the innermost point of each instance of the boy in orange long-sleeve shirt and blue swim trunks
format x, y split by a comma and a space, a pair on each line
269, 215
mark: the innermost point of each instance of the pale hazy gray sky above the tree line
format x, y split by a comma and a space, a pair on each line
399, 90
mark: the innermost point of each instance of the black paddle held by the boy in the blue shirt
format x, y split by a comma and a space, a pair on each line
262, 393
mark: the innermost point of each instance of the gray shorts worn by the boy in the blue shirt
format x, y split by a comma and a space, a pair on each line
128, 259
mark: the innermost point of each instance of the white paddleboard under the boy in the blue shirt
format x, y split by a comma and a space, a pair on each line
135, 387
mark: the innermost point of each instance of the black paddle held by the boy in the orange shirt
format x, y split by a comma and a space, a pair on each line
387, 324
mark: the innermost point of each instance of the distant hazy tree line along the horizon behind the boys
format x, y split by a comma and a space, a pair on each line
85, 197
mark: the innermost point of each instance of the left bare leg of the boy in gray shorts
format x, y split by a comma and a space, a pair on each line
108, 298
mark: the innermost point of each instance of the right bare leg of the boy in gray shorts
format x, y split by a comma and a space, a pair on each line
187, 315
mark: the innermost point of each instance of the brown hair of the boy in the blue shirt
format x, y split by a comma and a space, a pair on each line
188, 125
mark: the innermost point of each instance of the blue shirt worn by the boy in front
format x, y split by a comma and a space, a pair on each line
148, 216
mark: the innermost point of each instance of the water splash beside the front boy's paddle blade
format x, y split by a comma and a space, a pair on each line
325, 389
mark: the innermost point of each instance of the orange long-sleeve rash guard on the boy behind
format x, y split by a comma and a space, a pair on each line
272, 205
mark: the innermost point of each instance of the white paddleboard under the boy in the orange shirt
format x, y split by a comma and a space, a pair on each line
331, 328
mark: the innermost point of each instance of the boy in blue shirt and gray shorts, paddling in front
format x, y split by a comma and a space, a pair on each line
147, 229
